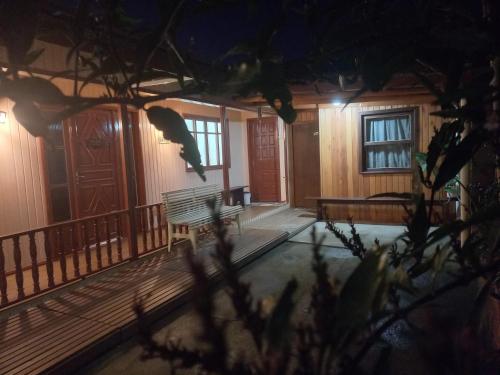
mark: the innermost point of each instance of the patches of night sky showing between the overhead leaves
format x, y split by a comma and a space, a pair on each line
210, 33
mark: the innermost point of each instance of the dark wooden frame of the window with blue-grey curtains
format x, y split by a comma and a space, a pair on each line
412, 113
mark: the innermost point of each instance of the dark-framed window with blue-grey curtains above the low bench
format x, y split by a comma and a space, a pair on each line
388, 140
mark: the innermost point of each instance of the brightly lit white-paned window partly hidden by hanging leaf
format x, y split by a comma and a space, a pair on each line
208, 135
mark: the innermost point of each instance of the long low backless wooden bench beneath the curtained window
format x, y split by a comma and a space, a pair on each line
322, 201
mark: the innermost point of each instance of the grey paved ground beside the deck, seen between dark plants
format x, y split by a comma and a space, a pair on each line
268, 276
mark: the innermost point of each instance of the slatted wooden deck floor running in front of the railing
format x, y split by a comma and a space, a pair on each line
59, 332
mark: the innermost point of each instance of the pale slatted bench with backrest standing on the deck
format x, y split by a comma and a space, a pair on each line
189, 207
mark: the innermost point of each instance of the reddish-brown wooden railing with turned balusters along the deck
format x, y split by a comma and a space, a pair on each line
38, 260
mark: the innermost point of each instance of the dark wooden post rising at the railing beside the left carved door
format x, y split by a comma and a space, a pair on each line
131, 179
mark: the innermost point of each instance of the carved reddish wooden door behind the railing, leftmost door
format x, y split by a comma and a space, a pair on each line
95, 163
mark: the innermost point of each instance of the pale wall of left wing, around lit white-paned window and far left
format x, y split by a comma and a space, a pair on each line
23, 202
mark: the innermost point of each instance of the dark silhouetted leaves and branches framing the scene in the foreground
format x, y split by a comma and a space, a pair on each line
452, 48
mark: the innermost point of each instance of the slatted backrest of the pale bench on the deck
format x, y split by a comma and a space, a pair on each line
191, 200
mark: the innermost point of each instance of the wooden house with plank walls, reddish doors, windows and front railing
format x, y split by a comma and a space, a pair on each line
65, 207
